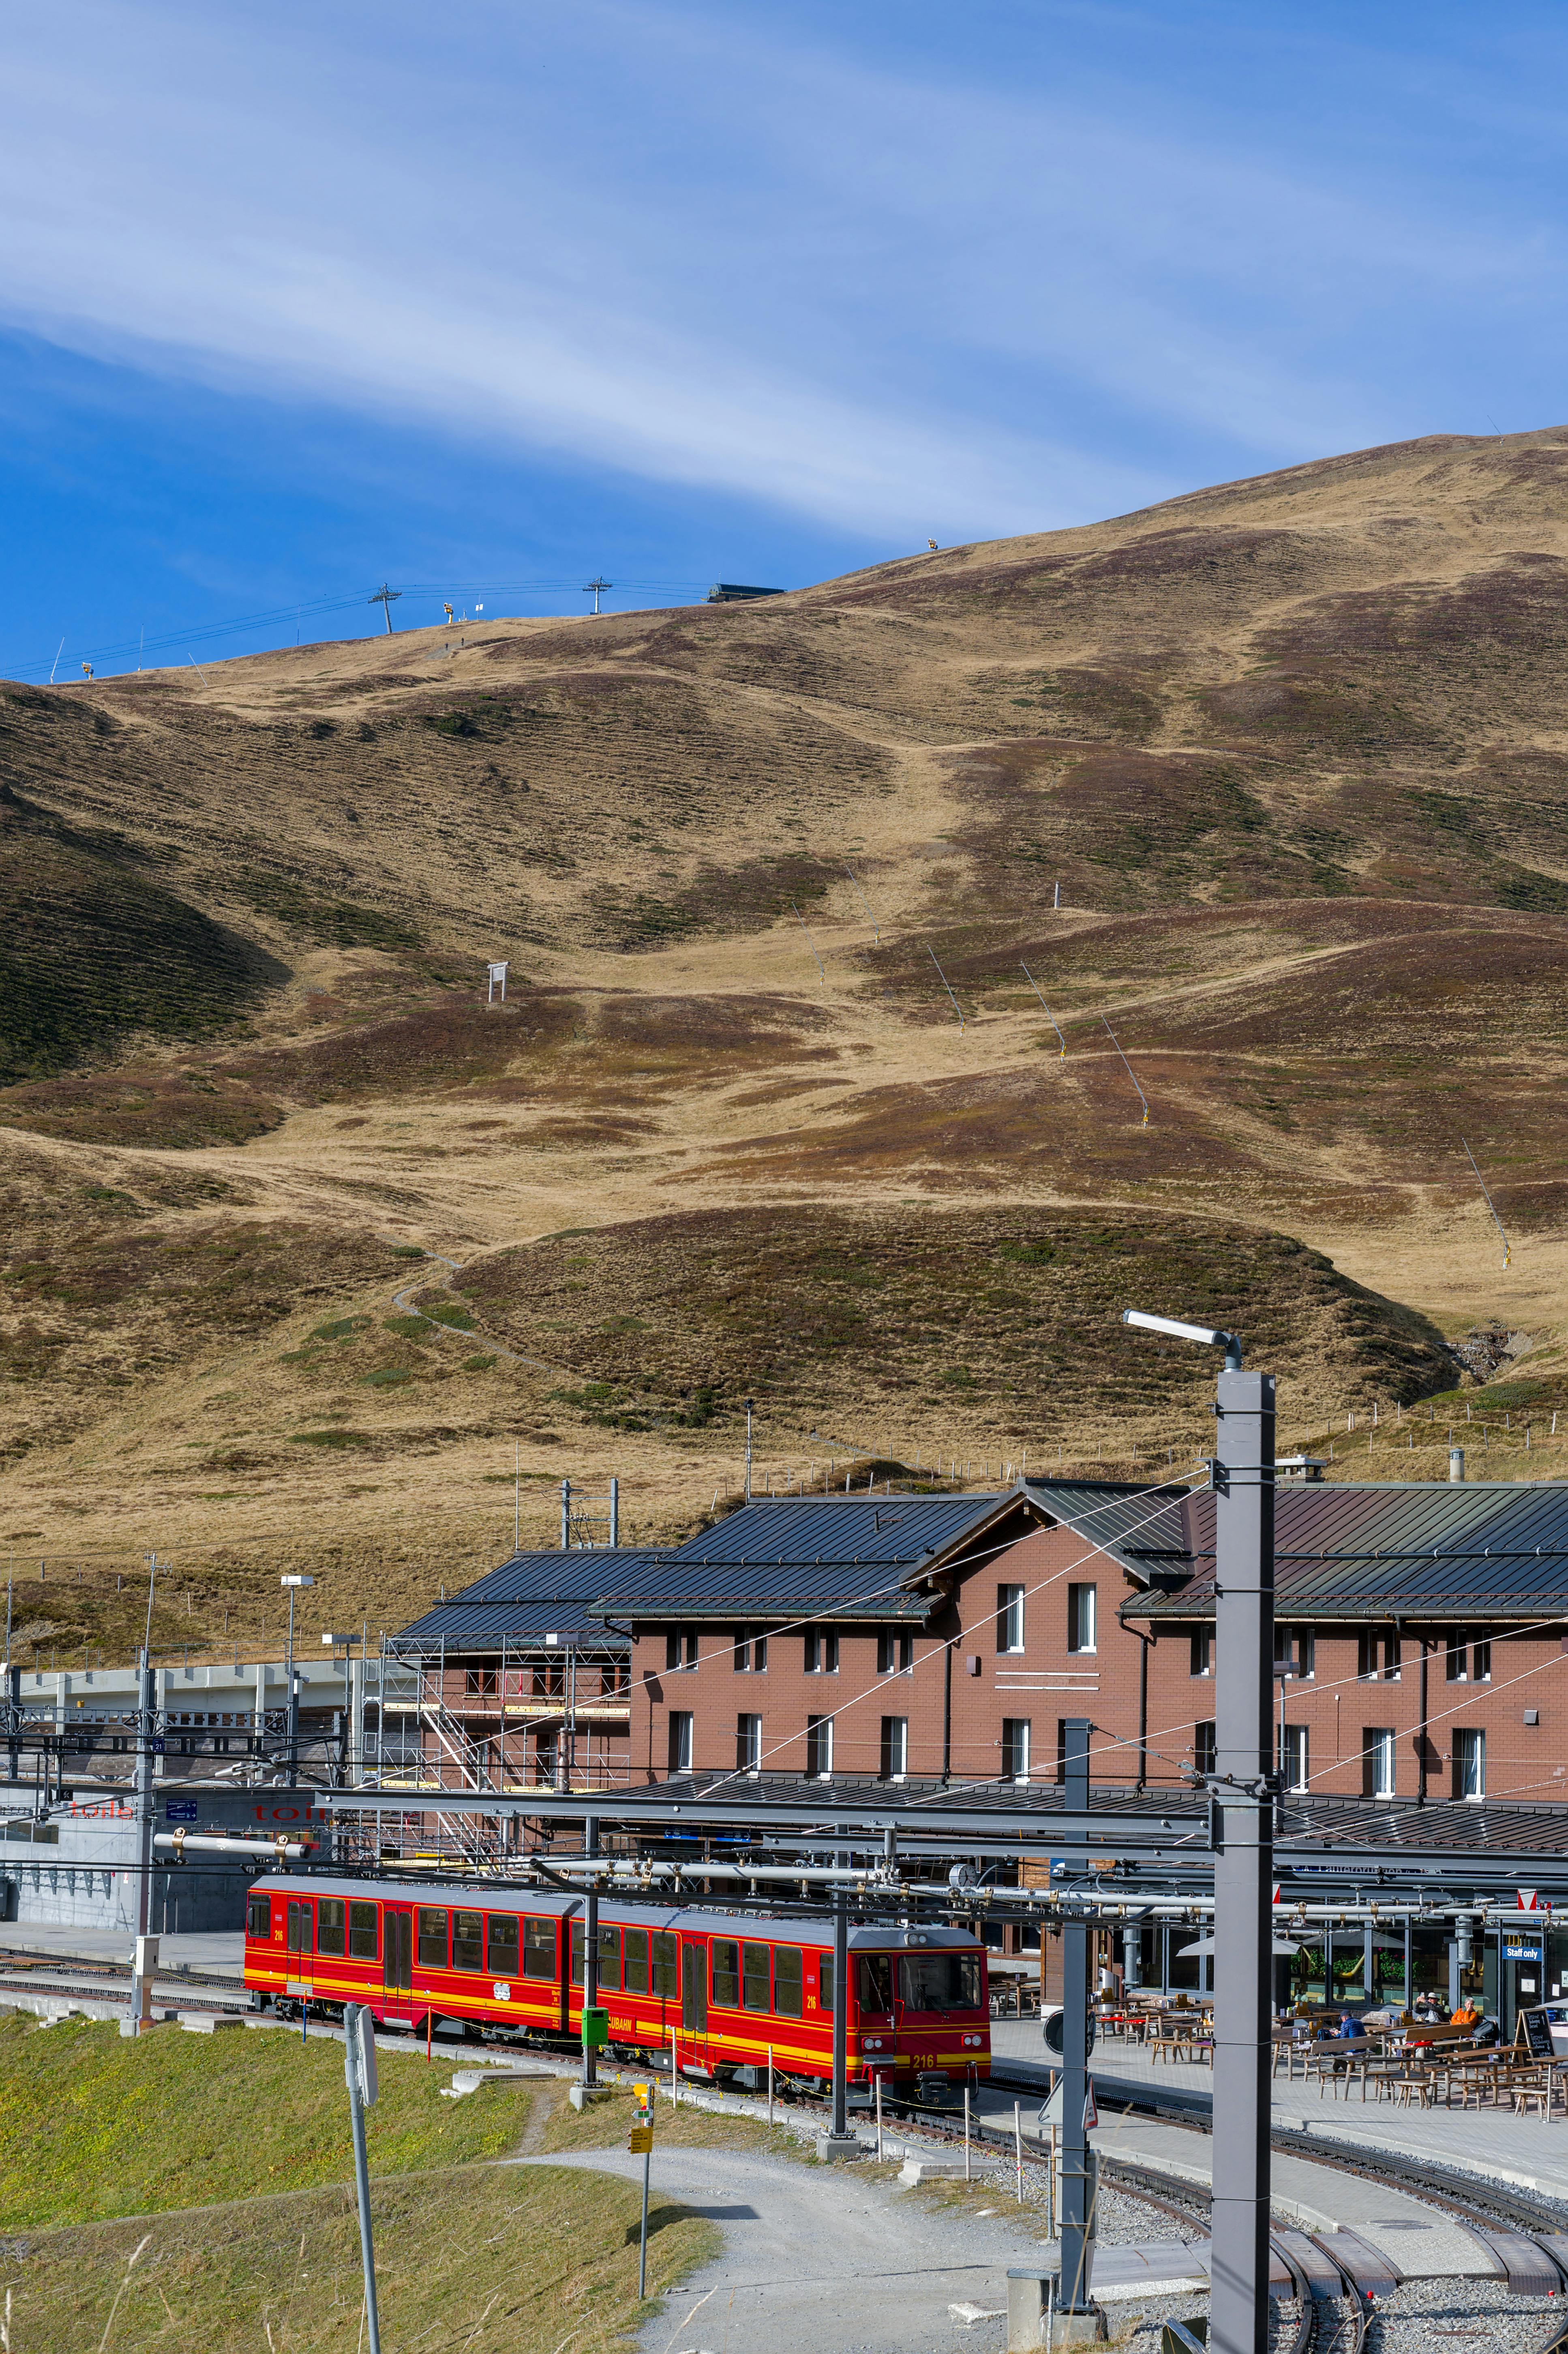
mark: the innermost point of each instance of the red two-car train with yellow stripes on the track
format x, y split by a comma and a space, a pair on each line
719, 1990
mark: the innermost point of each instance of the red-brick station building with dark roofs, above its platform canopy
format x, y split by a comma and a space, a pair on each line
948, 1640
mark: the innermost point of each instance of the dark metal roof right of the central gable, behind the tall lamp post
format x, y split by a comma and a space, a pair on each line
1421, 1550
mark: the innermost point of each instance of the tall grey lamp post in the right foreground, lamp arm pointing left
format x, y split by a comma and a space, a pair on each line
1242, 1833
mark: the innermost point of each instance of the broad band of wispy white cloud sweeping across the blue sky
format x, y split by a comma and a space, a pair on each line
700, 251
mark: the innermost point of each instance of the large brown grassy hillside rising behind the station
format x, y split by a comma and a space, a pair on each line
1289, 747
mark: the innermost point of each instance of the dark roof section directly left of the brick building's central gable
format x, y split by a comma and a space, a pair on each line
851, 1557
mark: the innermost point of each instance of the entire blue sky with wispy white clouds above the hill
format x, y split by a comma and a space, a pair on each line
489, 300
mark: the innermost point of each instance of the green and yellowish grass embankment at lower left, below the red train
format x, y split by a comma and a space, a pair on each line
107, 2150
